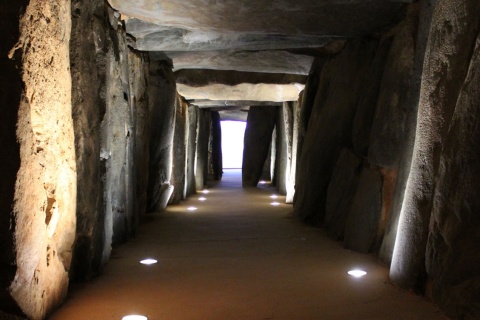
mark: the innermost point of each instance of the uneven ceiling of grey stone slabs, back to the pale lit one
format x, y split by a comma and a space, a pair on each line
276, 36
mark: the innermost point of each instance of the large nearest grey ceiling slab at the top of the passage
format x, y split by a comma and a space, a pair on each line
194, 25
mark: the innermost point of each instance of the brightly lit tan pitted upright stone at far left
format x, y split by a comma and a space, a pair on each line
45, 191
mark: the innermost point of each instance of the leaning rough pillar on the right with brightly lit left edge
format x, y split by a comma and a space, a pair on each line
446, 65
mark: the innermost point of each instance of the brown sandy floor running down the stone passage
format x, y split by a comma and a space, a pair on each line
238, 257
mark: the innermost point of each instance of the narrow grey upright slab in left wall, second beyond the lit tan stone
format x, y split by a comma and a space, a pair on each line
117, 149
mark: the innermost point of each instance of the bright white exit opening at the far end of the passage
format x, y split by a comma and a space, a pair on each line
232, 143
